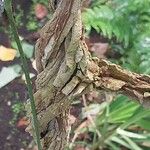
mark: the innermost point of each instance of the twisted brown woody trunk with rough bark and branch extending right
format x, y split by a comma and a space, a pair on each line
66, 70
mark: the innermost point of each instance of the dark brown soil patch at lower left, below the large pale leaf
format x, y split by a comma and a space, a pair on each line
11, 136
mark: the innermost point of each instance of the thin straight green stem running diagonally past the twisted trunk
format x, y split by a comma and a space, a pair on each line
8, 8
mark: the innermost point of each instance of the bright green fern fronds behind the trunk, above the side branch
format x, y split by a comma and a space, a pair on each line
127, 24
